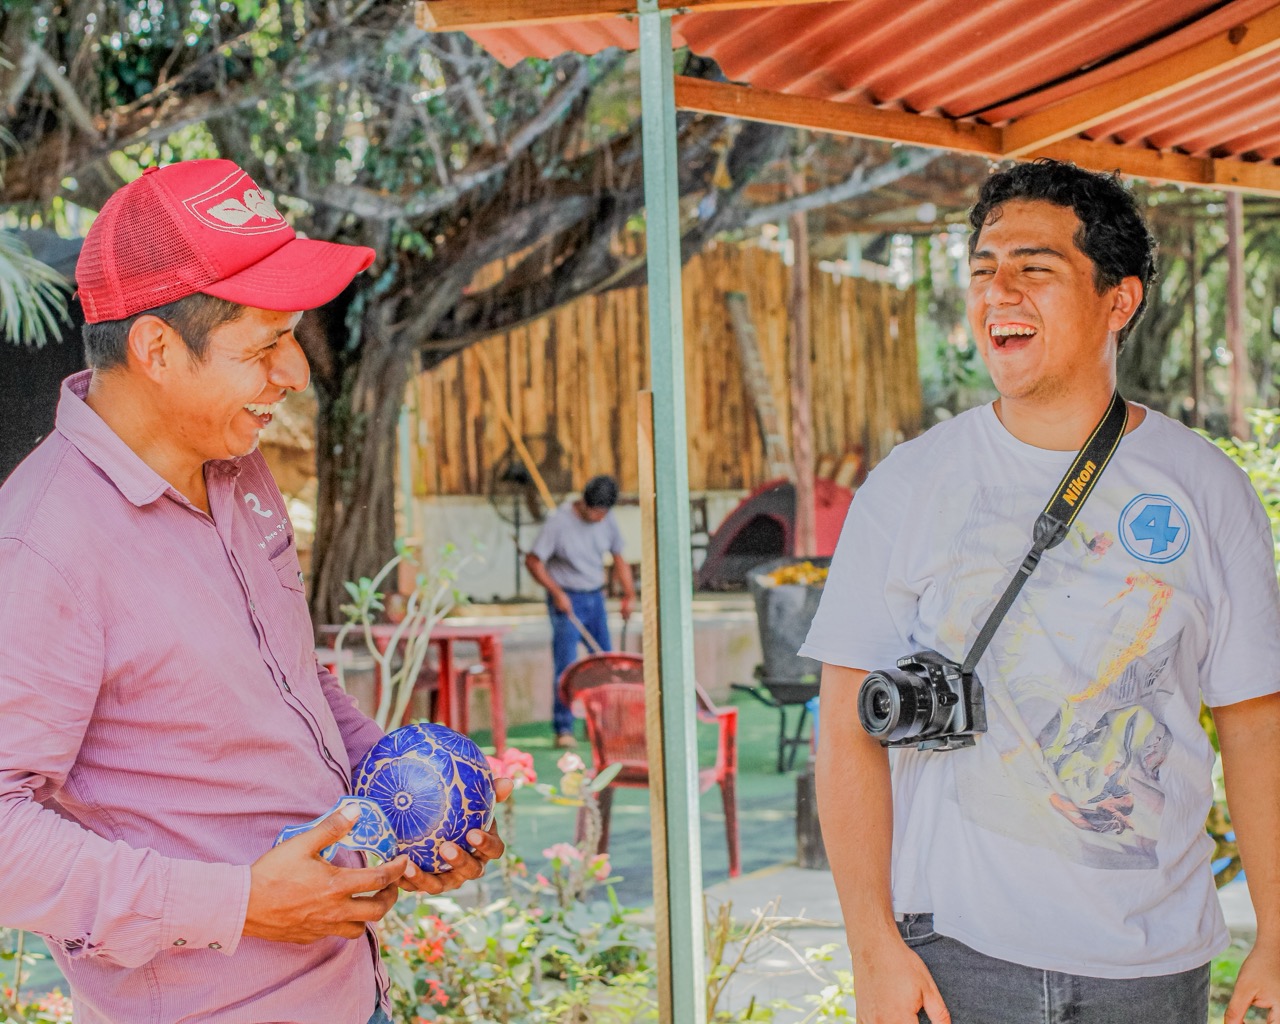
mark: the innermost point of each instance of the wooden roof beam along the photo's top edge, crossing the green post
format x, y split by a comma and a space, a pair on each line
454, 16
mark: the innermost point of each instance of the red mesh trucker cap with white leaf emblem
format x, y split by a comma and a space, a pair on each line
204, 226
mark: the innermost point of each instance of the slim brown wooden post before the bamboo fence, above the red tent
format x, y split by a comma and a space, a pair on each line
802, 388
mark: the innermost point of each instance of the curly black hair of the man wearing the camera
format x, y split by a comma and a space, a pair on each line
1113, 231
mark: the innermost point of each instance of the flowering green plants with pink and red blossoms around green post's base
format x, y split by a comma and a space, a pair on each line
560, 949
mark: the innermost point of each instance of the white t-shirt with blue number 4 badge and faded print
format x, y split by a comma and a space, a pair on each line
1072, 836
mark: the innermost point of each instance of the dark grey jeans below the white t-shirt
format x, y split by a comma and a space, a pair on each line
982, 990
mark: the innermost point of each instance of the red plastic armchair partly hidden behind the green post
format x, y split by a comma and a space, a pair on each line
610, 691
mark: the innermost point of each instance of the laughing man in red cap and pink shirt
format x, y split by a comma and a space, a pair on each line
164, 715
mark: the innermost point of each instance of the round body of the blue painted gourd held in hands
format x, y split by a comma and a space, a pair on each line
433, 785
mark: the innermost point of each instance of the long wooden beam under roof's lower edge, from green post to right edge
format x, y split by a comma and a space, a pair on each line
980, 140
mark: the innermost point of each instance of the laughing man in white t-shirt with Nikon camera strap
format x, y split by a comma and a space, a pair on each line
1058, 868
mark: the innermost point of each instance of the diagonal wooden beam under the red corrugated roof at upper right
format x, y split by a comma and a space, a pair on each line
1246, 42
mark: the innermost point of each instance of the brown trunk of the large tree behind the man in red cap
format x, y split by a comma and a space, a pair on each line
356, 464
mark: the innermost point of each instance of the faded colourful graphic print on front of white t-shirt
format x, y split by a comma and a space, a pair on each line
1080, 758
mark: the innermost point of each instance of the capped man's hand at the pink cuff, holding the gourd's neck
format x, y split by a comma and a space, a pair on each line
298, 897
